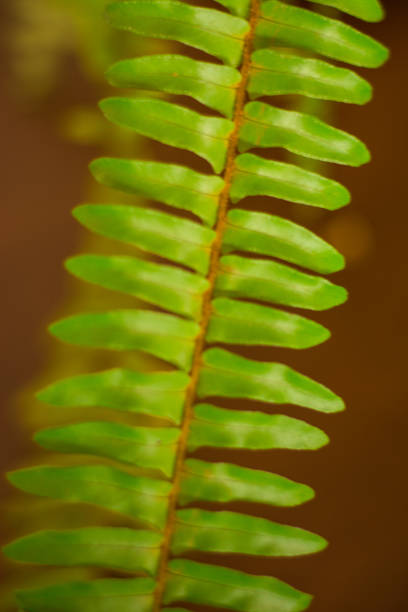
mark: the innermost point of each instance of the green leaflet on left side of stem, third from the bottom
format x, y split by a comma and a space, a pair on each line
139, 498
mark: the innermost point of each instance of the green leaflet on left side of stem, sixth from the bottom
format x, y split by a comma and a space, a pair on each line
160, 334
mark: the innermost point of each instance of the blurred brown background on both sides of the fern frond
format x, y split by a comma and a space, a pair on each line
360, 479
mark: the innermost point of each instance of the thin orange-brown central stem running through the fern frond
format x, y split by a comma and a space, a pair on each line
206, 310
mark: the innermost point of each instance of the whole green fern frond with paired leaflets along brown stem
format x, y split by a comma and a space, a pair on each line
144, 473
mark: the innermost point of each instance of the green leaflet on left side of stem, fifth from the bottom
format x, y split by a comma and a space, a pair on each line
159, 394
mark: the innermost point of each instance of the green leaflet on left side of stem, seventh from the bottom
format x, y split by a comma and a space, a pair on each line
176, 290
